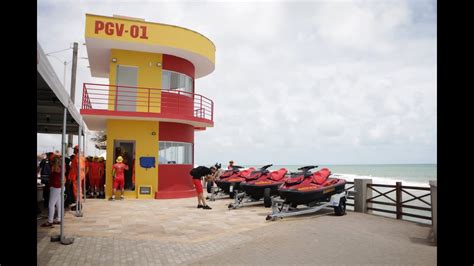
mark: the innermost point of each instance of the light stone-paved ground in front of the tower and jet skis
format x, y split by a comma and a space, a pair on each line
169, 232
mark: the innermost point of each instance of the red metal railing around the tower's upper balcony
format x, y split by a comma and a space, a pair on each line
148, 100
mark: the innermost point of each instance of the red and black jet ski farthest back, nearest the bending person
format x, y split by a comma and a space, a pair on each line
230, 179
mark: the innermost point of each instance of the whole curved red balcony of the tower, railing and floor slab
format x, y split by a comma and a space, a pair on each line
103, 101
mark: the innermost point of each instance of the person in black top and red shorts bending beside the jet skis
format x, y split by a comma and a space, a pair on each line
210, 174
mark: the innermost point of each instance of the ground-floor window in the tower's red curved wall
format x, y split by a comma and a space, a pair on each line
171, 152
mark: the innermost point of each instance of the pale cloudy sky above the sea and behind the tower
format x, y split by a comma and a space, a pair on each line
296, 82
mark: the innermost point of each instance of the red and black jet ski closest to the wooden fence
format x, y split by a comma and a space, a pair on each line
308, 188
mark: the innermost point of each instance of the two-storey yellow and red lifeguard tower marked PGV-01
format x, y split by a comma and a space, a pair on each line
150, 108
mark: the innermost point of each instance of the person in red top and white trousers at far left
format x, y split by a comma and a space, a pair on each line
55, 191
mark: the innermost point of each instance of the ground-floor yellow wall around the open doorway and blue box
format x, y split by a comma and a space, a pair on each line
146, 144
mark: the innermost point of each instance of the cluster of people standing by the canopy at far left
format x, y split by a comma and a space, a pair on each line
49, 171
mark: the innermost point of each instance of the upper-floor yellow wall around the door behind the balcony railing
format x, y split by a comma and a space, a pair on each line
149, 76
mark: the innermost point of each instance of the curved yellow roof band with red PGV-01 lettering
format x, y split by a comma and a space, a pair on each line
120, 29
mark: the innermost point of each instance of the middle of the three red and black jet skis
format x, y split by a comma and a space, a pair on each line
262, 183
